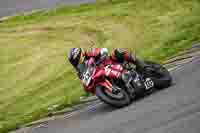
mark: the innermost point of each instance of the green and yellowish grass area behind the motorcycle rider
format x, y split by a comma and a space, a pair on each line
35, 74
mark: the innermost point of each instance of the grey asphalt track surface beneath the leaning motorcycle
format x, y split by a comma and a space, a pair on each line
172, 110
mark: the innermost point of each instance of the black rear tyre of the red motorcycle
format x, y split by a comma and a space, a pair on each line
161, 76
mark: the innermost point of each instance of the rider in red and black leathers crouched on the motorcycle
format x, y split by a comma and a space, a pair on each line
118, 55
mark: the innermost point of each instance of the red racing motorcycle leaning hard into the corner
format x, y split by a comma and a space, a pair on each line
100, 80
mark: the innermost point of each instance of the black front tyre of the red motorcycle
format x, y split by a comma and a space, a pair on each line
115, 101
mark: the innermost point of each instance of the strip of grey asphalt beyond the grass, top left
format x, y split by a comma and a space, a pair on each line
13, 7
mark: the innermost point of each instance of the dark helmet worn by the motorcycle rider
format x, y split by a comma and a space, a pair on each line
74, 56
